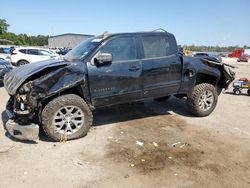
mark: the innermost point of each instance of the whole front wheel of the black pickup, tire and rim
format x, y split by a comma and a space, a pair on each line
66, 117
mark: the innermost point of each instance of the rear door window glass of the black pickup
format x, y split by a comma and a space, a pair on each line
156, 46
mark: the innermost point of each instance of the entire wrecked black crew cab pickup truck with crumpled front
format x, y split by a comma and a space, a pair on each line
59, 96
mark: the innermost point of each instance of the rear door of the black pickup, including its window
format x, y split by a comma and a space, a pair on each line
161, 65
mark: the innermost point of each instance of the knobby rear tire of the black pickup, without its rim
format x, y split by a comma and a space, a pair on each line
194, 96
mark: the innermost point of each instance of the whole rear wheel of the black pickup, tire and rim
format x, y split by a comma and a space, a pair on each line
203, 99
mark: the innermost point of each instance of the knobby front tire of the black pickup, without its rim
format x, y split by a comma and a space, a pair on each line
53, 106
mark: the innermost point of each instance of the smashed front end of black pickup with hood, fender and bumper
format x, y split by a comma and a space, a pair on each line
29, 86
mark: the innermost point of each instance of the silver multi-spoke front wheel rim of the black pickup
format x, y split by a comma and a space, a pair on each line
68, 120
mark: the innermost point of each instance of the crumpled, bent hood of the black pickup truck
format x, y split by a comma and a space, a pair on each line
15, 78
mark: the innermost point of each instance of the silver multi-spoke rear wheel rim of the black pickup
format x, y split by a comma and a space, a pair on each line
206, 100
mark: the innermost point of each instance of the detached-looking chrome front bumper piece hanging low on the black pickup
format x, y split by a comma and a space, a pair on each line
22, 132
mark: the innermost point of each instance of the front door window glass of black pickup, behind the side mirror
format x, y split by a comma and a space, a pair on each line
122, 49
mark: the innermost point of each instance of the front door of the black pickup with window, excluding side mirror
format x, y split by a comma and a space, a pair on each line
120, 80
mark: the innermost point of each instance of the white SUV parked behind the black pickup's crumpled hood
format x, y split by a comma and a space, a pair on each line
21, 56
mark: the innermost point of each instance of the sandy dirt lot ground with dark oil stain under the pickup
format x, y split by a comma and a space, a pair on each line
150, 144
